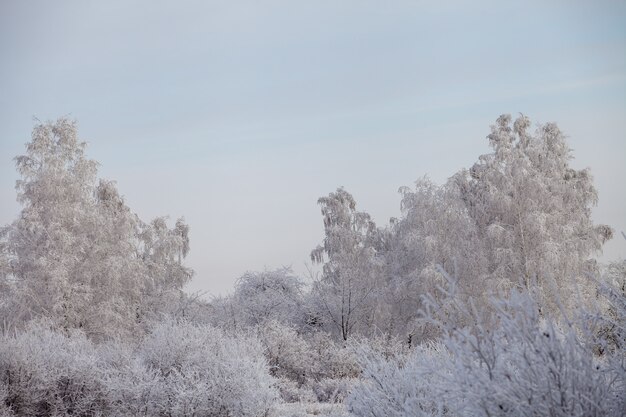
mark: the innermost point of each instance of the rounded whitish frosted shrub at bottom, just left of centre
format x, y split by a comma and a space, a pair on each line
183, 369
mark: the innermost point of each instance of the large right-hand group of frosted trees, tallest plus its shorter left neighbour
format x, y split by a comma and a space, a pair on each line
520, 217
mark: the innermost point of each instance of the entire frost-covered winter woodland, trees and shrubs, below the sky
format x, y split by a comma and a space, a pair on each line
484, 298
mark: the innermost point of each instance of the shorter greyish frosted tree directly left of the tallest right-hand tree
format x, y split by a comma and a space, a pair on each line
434, 232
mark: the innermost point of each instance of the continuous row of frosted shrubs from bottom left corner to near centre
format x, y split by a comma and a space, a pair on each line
179, 369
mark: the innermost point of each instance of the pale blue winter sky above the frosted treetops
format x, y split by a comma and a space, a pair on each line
239, 115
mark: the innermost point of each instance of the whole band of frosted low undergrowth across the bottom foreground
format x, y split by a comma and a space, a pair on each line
525, 364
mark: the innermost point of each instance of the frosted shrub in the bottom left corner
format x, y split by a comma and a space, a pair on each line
47, 373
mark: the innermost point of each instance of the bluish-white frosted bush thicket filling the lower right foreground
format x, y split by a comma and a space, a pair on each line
525, 365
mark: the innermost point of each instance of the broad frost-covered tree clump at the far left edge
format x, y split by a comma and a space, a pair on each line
77, 254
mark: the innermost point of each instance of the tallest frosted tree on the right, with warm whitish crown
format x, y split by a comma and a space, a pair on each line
532, 210
